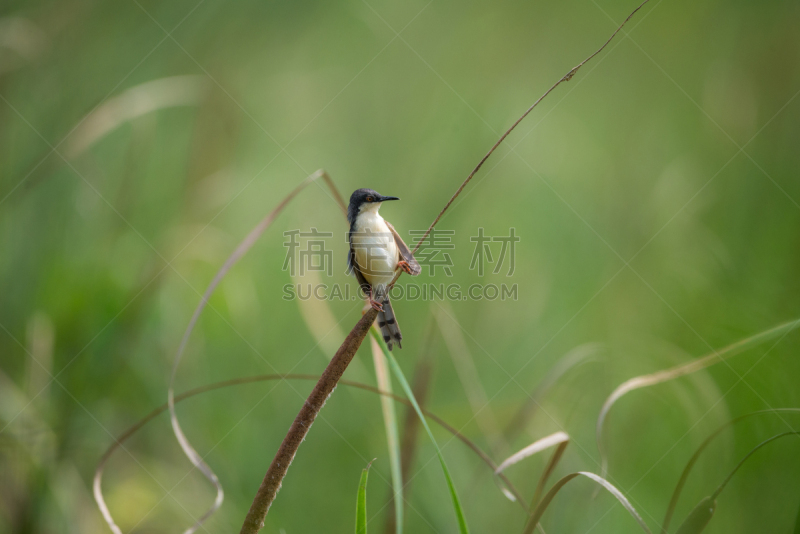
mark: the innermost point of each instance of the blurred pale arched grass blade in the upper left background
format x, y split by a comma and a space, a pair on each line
187, 90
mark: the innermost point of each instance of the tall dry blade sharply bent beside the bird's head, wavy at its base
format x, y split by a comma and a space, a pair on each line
241, 250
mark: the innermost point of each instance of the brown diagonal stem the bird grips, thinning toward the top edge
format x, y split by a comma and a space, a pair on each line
277, 469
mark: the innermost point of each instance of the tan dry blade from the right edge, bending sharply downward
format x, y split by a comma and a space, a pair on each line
681, 370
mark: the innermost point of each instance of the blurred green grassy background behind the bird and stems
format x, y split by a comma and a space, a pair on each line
656, 198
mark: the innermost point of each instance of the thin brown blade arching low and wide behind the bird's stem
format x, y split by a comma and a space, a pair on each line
98, 476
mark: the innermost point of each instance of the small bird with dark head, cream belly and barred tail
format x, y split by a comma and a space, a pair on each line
376, 252
